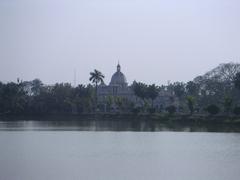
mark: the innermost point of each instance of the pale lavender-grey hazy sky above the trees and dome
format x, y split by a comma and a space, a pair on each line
154, 40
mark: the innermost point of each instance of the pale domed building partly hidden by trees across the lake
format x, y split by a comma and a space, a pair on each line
118, 87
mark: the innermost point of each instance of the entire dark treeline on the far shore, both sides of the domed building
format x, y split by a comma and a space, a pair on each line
217, 91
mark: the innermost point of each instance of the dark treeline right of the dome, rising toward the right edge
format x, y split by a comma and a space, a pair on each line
216, 92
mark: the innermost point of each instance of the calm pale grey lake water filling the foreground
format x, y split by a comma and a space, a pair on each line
35, 150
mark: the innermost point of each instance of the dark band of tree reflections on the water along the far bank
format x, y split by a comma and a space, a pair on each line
113, 125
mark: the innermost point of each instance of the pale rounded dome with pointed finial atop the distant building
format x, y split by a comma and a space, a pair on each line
118, 78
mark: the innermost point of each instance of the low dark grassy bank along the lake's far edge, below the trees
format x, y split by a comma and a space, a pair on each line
177, 118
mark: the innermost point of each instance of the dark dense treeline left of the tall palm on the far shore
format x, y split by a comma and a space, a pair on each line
35, 98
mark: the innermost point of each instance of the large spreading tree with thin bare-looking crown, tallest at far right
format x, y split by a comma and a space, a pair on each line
217, 83
